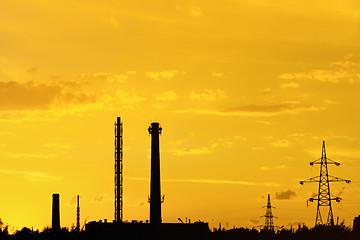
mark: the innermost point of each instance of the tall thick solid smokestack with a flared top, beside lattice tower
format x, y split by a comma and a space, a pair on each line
155, 192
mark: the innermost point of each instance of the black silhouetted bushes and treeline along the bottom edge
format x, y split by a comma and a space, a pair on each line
302, 232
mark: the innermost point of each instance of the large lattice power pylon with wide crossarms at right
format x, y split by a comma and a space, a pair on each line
323, 197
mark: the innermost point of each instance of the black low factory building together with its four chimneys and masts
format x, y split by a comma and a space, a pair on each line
153, 229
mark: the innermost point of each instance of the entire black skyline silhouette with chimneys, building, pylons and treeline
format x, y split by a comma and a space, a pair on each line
154, 228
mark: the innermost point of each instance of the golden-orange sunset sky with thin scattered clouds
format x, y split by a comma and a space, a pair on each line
245, 92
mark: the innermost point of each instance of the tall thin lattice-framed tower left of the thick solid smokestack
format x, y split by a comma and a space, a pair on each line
118, 170
